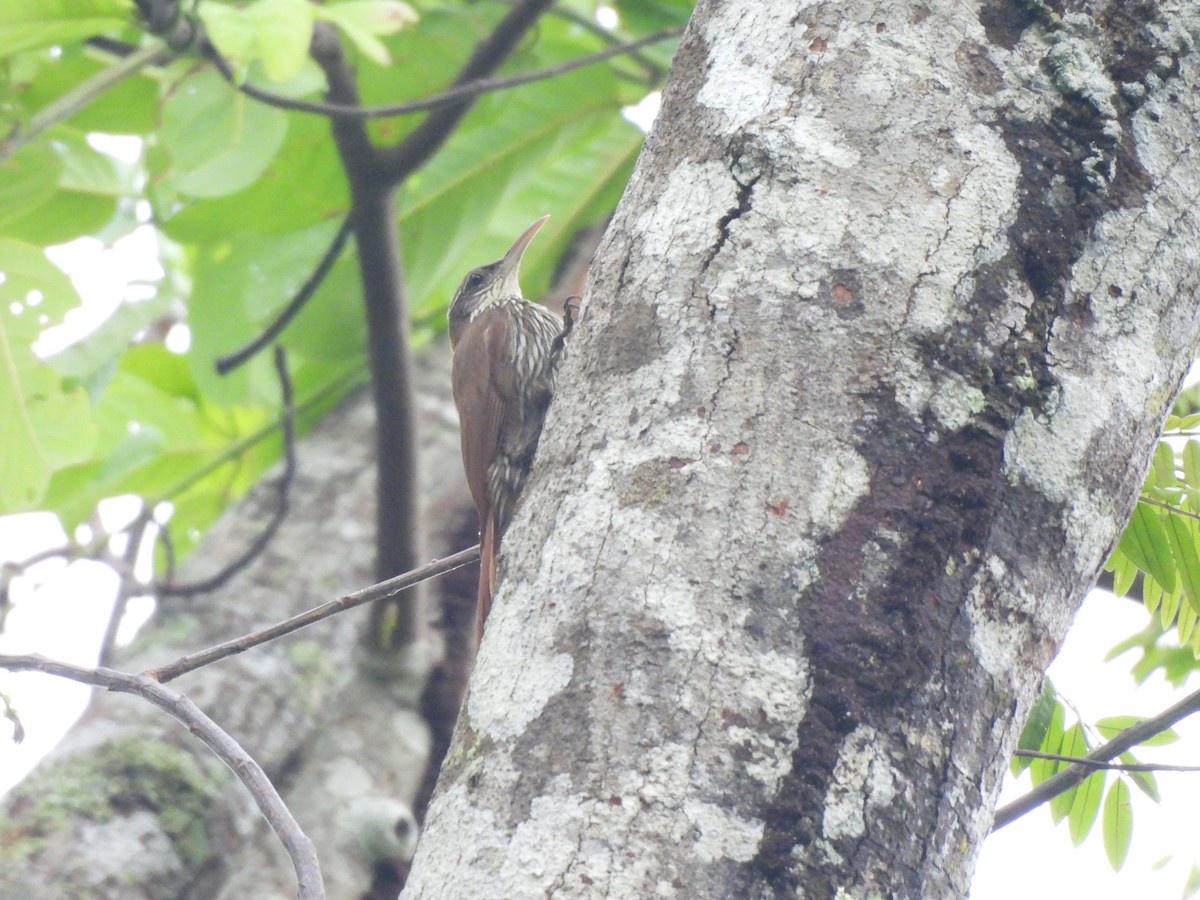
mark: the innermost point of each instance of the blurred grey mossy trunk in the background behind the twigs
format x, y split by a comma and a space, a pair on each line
133, 806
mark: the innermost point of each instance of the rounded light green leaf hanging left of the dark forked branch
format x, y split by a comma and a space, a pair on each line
219, 140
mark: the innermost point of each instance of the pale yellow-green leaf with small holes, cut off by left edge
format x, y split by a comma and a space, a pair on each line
45, 424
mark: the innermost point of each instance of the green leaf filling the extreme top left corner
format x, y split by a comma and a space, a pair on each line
29, 25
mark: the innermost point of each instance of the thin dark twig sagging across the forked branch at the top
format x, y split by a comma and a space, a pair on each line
452, 95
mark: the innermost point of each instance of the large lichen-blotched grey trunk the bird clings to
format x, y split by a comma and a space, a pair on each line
869, 371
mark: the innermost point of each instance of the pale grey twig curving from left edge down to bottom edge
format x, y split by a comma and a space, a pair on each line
224, 747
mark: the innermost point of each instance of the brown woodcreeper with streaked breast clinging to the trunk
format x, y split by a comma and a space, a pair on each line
503, 379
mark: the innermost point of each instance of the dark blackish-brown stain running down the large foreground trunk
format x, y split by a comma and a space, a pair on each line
879, 639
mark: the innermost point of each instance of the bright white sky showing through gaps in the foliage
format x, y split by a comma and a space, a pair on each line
1031, 859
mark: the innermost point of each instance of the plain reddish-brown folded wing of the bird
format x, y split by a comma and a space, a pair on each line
483, 388
